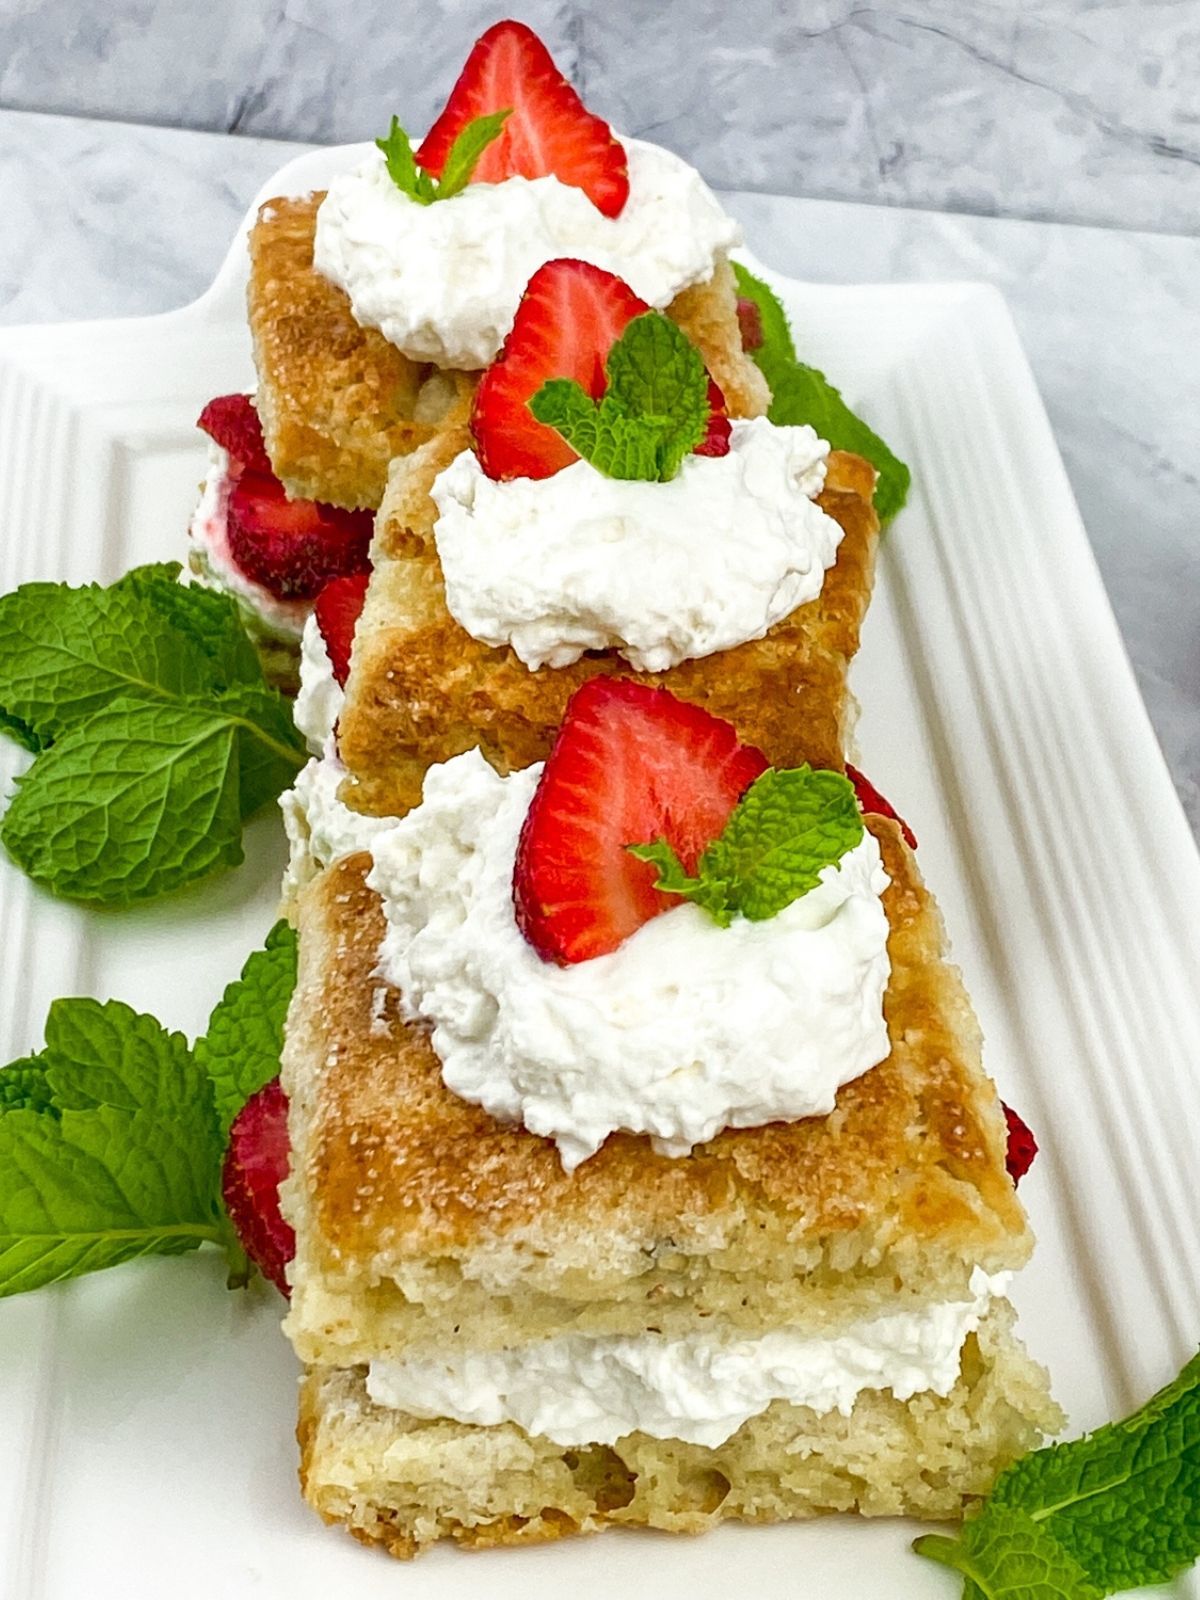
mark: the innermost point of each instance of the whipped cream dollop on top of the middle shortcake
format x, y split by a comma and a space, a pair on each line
662, 572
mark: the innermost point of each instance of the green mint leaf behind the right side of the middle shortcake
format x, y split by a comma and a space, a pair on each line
802, 394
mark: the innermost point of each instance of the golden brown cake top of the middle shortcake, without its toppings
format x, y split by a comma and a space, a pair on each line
423, 690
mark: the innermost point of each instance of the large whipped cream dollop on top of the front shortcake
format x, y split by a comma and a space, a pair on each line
682, 1031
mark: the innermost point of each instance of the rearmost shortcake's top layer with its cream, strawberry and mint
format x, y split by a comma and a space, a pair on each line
374, 306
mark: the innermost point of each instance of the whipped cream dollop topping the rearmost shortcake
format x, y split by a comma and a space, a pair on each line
442, 281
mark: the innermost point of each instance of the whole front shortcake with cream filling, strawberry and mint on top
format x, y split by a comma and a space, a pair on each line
644, 1167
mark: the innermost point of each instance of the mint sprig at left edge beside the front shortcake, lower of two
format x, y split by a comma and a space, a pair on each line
113, 1137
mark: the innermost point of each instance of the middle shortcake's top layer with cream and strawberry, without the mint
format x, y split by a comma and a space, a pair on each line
508, 572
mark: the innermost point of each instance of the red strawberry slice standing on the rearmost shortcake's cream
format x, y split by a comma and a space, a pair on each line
550, 134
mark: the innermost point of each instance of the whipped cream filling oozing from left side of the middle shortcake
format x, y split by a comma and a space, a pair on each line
321, 828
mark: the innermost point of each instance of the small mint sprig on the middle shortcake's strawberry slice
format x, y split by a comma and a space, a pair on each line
654, 412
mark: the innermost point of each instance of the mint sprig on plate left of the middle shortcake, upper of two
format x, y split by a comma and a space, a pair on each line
156, 735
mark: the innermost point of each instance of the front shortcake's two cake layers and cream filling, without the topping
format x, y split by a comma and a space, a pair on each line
454, 1282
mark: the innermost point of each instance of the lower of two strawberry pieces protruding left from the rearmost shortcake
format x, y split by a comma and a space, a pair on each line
294, 548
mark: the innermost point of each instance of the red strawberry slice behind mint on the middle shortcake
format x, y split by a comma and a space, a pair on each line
569, 319
